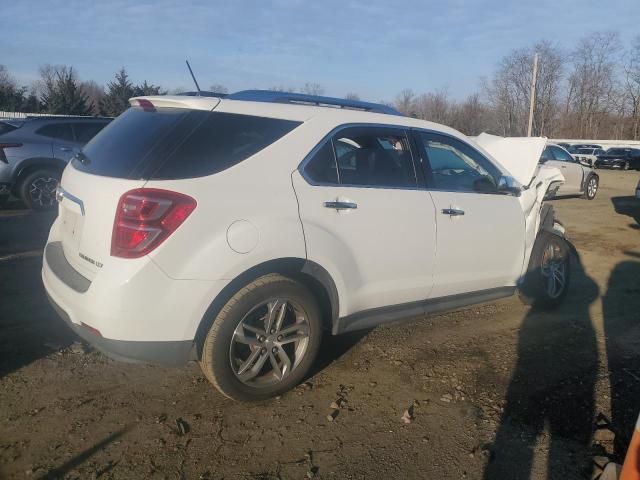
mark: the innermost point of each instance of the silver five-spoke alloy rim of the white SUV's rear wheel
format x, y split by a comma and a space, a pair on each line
269, 342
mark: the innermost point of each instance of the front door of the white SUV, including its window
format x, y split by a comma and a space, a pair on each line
480, 232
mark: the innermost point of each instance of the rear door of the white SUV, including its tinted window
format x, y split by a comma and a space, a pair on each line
364, 218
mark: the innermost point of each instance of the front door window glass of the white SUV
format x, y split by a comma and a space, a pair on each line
456, 166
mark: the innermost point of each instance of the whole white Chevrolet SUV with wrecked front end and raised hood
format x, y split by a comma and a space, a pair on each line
235, 231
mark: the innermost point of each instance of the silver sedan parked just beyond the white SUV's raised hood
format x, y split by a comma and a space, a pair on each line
579, 179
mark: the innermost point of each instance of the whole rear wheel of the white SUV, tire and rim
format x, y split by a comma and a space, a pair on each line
264, 340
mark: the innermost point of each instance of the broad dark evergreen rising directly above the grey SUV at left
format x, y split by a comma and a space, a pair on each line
63, 95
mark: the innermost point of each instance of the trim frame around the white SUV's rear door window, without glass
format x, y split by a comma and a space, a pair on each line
329, 138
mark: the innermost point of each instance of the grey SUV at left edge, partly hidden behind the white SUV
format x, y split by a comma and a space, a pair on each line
34, 151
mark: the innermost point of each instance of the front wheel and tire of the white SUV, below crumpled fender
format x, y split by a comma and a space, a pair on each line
546, 282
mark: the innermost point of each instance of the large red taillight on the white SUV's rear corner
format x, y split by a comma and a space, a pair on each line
145, 217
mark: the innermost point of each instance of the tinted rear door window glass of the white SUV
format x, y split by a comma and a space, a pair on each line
364, 157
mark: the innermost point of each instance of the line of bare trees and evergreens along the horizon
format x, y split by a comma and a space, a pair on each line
589, 91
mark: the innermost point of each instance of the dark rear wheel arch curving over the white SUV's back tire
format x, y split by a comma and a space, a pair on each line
310, 274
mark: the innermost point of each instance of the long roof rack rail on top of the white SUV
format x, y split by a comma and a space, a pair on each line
304, 99
